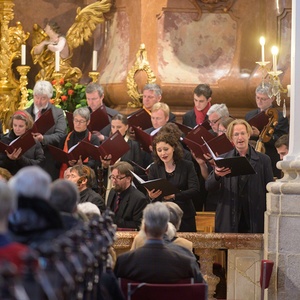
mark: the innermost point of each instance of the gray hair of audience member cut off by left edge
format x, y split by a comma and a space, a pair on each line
8, 200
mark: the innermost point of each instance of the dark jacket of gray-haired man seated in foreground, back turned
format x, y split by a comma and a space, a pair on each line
154, 263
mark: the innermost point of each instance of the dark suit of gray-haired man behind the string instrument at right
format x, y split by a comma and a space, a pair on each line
281, 128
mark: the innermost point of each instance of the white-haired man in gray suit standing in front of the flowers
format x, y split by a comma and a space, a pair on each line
42, 94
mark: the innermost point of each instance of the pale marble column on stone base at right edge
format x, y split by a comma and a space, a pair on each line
282, 223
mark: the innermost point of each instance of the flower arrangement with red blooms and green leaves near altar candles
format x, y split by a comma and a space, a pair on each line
72, 95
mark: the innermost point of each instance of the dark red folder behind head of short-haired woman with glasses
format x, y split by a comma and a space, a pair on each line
98, 120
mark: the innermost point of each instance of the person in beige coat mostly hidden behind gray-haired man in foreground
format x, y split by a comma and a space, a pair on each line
176, 214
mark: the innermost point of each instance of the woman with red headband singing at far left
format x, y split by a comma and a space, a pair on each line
20, 122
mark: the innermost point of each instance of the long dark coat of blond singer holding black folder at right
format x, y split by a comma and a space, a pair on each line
252, 189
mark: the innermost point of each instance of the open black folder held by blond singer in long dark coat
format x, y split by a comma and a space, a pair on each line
239, 165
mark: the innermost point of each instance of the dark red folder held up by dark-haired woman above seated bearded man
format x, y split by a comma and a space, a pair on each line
115, 145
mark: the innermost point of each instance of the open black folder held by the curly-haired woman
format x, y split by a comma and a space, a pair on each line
162, 184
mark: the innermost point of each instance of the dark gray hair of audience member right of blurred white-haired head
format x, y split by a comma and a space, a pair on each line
64, 195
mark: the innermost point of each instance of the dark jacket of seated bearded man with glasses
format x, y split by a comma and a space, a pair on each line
131, 207
